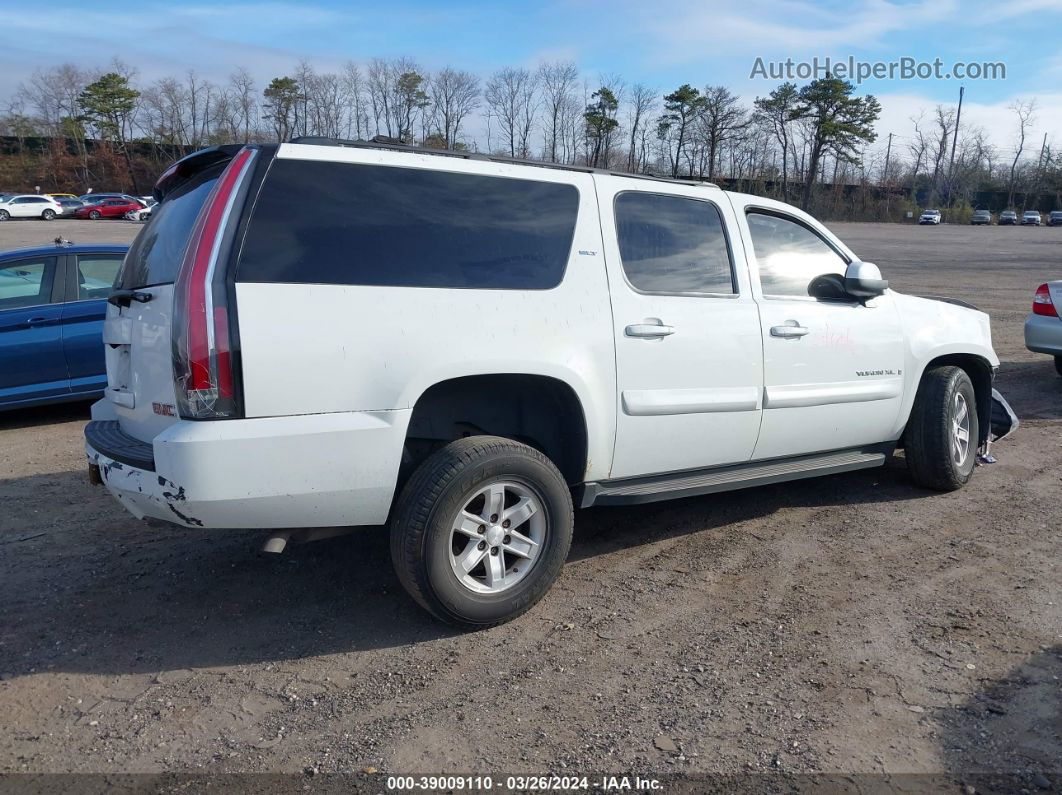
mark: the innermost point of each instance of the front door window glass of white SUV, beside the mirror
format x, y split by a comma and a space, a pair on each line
790, 255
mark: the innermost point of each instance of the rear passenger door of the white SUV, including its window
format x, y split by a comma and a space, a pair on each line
689, 355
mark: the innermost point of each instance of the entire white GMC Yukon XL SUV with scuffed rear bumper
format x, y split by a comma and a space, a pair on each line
467, 349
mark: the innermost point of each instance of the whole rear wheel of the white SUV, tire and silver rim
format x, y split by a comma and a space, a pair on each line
482, 531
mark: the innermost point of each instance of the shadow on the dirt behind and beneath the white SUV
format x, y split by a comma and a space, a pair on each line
87, 589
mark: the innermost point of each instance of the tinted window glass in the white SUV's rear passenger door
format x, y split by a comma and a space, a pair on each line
673, 245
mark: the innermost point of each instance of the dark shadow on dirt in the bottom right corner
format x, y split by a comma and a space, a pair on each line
1008, 736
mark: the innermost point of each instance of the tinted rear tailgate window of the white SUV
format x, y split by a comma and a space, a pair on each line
156, 256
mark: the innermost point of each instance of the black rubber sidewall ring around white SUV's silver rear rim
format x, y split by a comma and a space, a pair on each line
485, 609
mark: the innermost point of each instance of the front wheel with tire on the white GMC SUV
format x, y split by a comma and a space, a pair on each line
943, 434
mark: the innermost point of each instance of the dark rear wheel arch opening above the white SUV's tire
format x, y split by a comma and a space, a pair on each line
541, 411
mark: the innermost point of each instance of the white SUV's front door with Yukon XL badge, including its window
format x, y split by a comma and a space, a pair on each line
833, 371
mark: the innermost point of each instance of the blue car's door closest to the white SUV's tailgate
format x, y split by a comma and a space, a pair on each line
90, 283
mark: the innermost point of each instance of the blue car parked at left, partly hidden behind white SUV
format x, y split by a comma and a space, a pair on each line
53, 304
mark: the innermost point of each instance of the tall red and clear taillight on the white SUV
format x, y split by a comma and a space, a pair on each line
203, 356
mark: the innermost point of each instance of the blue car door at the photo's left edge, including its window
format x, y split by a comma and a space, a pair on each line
32, 367
